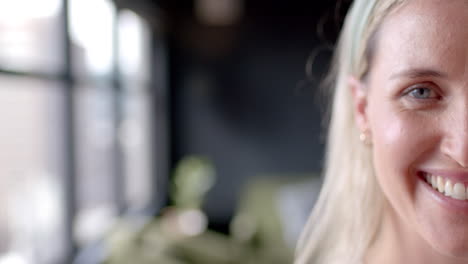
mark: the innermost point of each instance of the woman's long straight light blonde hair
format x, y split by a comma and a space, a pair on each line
348, 212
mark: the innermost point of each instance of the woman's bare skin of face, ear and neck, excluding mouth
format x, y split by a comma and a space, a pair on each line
413, 106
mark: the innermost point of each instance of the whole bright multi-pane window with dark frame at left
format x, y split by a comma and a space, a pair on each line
76, 133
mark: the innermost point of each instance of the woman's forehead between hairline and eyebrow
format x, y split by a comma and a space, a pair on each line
425, 33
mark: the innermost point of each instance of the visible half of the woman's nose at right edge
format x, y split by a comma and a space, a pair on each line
455, 142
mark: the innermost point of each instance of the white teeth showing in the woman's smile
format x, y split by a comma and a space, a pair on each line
456, 190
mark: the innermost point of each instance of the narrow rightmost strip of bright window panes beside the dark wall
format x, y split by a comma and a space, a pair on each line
134, 60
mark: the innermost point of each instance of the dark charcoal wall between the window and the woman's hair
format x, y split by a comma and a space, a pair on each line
240, 95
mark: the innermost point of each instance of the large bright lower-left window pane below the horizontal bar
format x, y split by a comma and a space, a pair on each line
31, 157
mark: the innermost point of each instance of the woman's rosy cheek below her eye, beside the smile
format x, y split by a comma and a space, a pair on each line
400, 140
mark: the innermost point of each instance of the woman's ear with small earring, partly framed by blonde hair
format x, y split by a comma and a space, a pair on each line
359, 93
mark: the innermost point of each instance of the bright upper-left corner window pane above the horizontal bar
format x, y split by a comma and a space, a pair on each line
30, 37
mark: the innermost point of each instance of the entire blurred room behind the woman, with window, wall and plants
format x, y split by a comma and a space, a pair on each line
160, 131
